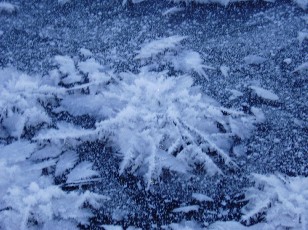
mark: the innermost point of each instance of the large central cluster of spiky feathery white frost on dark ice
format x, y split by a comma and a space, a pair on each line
154, 121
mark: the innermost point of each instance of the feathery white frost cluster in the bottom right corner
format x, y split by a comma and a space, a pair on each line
284, 200
